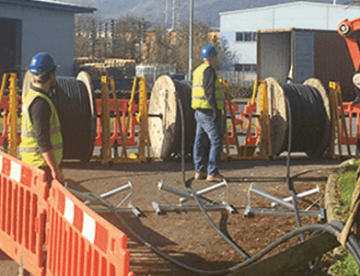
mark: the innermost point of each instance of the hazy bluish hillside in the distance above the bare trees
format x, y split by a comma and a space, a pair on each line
204, 10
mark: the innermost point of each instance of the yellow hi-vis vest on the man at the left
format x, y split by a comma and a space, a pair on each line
29, 149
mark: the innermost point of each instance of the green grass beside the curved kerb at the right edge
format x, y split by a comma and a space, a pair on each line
346, 265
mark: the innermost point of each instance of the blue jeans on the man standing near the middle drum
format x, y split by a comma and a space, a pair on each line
207, 131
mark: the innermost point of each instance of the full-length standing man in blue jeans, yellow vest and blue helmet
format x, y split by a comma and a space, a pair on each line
207, 101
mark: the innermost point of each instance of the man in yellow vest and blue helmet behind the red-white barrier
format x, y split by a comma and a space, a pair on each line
41, 140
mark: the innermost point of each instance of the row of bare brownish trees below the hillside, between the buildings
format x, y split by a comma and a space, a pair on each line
134, 38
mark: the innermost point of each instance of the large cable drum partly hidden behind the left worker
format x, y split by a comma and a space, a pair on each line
74, 100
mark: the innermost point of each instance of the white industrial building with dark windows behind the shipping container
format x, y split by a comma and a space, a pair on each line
239, 28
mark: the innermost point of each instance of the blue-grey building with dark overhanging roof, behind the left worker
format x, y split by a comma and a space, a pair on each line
31, 26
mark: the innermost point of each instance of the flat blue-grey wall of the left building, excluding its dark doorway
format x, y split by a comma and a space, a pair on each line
44, 30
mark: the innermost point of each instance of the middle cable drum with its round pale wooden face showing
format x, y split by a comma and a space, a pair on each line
165, 119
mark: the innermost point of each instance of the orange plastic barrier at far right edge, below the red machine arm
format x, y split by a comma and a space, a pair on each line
353, 111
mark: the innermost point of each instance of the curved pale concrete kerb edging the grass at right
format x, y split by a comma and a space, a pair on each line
332, 204
